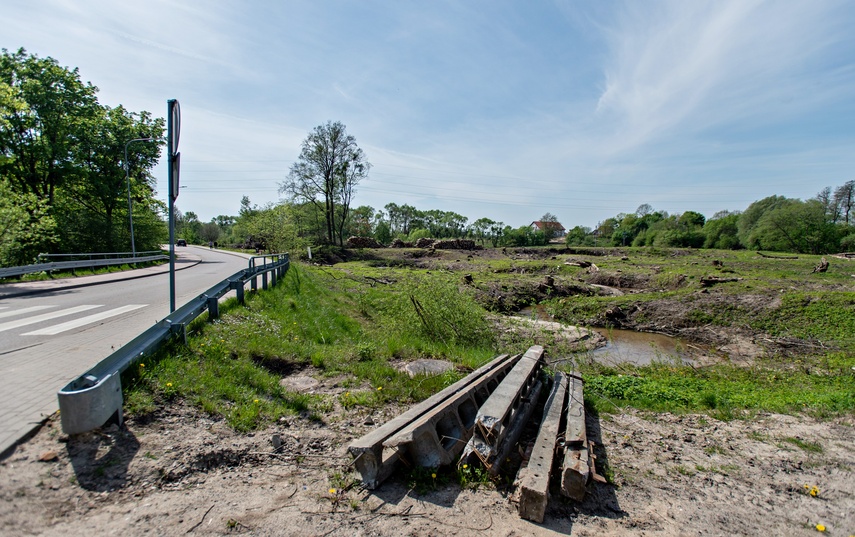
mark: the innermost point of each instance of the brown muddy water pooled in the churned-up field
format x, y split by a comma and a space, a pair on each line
628, 346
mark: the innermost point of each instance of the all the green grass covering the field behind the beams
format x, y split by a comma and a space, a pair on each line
359, 321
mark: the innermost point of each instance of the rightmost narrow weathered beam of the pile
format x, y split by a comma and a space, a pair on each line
576, 468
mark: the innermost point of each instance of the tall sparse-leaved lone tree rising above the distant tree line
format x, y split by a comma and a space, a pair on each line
328, 169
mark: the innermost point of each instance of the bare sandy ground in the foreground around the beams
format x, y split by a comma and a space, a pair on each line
184, 473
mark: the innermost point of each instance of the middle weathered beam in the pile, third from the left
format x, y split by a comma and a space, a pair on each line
499, 412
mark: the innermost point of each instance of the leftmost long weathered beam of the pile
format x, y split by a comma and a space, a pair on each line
376, 464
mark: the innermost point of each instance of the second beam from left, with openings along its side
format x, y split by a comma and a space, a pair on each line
438, 437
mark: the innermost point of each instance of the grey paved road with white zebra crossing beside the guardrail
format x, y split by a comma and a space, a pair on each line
51, 332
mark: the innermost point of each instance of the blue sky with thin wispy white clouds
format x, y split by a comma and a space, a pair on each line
498, 109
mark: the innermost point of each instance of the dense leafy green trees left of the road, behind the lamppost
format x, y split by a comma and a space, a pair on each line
63, 186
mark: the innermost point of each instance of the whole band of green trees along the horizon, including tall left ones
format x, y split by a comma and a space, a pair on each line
65, 184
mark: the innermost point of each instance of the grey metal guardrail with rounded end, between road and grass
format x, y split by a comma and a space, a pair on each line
95, 397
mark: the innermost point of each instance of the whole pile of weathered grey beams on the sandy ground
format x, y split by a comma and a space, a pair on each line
479, 420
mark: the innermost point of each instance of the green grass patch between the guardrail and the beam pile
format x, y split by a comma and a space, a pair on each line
232, 367
